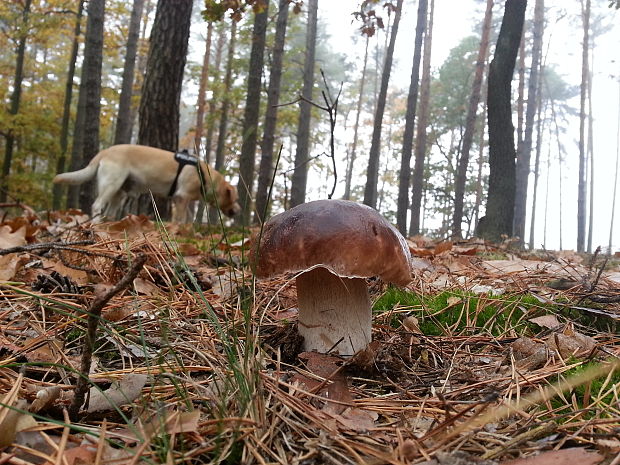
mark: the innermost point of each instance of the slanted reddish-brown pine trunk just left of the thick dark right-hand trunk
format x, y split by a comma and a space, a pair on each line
470, 123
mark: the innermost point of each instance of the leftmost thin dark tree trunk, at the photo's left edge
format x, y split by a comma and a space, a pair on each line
15, 101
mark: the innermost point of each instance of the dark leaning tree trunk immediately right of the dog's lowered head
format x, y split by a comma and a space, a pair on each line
250, 119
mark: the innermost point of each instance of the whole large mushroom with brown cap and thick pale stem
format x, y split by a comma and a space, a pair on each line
333, 245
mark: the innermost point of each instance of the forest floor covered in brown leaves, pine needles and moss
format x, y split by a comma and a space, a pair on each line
489, 356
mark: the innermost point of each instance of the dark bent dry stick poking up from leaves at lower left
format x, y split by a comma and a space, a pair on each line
94, 315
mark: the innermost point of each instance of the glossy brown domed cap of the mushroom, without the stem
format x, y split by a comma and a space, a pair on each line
349, 239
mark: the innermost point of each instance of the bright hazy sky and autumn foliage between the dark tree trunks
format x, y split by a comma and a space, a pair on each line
340, 46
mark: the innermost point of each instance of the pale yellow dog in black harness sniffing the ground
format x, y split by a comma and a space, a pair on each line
125, 171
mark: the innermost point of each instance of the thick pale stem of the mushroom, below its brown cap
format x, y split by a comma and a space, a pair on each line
333, 309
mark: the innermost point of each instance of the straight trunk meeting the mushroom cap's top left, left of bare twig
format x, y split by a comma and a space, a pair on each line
300, 172
